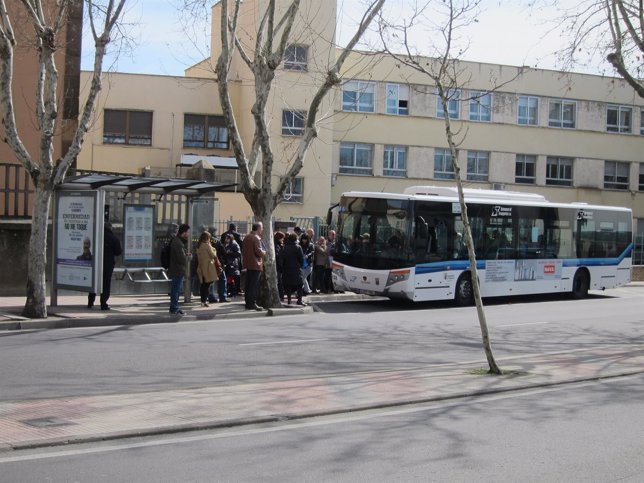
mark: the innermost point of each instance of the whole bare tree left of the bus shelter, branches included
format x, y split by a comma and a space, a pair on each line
44, 22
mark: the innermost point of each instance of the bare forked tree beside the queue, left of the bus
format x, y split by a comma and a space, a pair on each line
273, 36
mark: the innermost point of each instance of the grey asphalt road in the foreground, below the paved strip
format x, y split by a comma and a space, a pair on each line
588, 432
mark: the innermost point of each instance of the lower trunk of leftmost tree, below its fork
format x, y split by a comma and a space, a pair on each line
36, 302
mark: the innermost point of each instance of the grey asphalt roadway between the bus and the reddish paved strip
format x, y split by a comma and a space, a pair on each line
340, 338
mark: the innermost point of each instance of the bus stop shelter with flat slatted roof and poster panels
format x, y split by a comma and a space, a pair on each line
80, 213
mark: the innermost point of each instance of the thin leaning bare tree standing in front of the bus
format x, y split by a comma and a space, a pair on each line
443, 20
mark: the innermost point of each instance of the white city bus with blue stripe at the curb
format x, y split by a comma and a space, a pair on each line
411, 246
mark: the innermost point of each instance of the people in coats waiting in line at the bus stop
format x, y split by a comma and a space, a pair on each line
303, 264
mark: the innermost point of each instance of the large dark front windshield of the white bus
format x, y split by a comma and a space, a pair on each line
373, 233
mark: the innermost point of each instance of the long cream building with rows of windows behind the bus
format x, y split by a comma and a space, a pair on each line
570, 137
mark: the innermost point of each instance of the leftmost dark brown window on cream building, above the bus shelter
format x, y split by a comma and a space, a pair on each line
127, 127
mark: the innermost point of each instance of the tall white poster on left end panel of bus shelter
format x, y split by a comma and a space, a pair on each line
76, 236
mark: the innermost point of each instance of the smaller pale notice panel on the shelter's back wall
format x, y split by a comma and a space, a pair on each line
138, 233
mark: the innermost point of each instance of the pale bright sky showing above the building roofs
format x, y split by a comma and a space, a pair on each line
505, 33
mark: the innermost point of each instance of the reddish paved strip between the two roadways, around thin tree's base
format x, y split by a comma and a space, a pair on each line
37, 423
